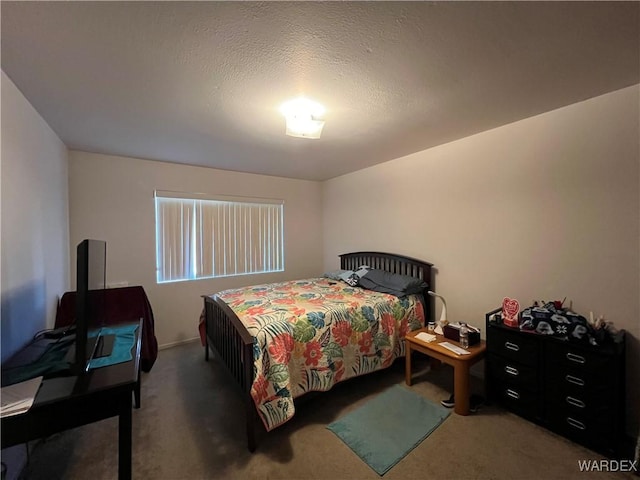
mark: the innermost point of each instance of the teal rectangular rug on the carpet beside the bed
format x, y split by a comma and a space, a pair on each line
386, 428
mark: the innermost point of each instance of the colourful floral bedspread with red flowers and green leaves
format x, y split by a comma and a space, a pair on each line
311, 334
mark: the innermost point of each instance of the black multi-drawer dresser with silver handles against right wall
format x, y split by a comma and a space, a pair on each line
575, 390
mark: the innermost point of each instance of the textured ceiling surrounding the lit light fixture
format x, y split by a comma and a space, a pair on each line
200, 82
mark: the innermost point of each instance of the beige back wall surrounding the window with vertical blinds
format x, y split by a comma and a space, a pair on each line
111, 198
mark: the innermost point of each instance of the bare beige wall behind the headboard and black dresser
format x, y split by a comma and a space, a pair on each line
543, 208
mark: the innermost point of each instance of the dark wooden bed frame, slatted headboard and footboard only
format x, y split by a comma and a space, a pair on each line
228, 337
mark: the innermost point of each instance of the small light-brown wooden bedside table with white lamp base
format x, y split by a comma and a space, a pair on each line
460, 363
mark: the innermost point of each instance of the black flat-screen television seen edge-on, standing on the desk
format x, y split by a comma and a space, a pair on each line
91, 284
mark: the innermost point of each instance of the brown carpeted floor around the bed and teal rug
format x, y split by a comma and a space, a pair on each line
191, 426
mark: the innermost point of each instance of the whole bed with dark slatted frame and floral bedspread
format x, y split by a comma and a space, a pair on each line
281, 340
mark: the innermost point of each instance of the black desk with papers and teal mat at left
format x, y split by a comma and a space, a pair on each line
68, 402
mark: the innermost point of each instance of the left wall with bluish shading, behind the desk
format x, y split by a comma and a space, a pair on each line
35, 221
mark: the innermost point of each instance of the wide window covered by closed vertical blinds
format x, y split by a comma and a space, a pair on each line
205, 237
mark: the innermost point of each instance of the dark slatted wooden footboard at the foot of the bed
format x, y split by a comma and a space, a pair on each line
229, 339
